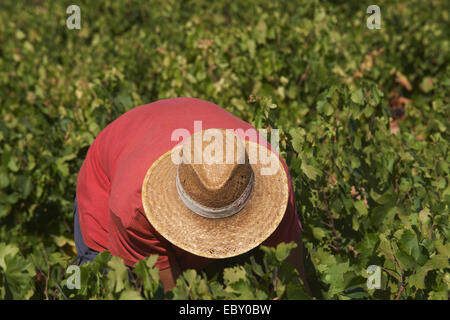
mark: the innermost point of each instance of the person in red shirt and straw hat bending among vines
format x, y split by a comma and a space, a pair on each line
140, 192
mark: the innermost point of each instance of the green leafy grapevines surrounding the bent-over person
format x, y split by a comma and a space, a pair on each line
363, 114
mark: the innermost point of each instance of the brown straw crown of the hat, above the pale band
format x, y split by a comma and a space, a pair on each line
215, 170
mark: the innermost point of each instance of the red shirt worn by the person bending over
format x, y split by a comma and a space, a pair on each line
110, 180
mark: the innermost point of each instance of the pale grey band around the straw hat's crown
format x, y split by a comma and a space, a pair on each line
209, 212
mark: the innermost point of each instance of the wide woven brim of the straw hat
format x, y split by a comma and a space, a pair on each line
214, 238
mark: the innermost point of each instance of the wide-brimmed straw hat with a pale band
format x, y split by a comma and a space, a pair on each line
213, 198
